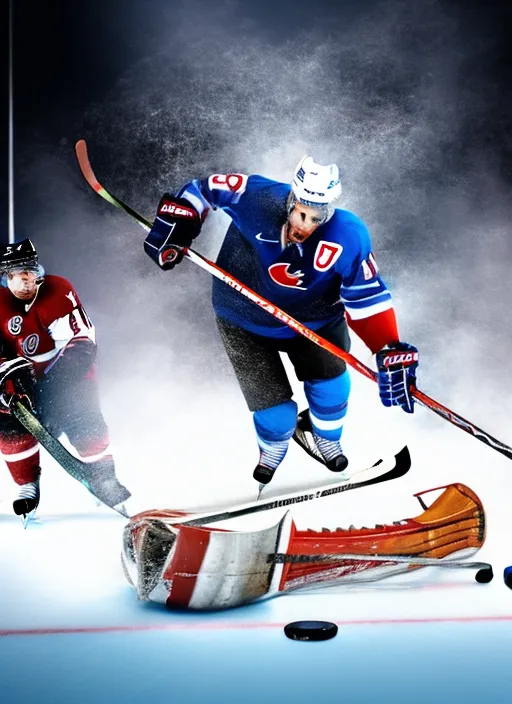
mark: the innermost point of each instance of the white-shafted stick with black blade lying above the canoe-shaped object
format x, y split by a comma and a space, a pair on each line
402, 464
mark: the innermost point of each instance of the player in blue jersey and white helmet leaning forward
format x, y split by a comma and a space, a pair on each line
292, 246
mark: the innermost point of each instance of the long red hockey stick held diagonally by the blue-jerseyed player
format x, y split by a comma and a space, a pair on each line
214, 270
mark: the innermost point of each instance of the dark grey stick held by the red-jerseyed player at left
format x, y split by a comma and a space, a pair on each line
74, 467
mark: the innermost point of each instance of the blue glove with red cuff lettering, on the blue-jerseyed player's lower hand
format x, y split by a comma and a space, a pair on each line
396, 375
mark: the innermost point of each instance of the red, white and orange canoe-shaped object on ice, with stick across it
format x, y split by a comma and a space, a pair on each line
203, 568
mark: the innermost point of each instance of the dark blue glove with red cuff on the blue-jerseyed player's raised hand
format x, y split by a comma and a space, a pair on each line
176, 224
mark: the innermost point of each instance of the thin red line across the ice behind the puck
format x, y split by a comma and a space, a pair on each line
226, 626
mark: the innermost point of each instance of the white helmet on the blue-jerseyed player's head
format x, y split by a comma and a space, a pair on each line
315, 184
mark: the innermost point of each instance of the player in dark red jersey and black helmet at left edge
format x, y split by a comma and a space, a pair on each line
48, 351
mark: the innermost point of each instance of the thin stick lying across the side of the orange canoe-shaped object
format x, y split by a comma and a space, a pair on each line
483, 575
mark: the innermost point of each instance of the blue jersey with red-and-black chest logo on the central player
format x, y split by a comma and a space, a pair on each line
332, 270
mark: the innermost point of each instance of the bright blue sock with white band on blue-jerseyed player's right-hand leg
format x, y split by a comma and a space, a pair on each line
328, 401
